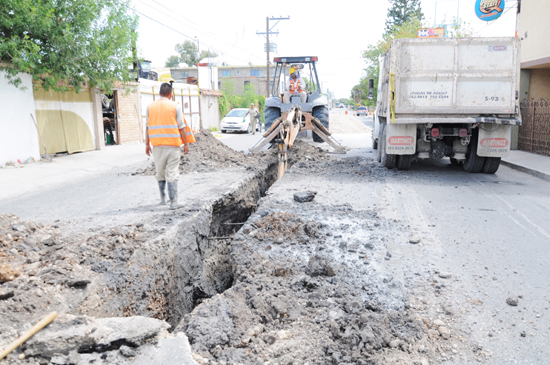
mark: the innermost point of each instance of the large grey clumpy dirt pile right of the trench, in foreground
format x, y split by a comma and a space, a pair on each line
320, 303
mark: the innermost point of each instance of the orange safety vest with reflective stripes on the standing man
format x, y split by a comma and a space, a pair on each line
163, 126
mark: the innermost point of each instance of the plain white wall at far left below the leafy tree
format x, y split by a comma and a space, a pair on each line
18, 135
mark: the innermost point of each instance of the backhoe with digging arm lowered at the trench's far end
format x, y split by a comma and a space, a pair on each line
284, 119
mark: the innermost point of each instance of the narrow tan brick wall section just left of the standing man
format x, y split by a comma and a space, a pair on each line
129, 119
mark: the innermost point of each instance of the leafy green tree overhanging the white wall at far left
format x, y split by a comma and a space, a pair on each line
64, 43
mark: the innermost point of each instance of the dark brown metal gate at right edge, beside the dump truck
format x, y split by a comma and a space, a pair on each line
534, 132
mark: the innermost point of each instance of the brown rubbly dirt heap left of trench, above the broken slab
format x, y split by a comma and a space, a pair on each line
42, 270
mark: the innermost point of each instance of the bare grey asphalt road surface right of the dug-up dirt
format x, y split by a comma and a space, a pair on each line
491, 233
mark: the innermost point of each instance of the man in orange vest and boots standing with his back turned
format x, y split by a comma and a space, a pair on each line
166, 131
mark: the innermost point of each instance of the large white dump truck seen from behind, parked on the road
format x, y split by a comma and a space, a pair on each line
451, 98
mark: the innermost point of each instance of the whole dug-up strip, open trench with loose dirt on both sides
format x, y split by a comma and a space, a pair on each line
253, 277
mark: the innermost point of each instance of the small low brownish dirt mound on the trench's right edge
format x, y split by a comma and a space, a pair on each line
284, 227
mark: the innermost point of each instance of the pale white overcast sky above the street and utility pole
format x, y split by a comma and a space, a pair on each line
336, 31
